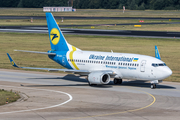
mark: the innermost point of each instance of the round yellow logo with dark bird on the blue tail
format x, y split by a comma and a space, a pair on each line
55, 36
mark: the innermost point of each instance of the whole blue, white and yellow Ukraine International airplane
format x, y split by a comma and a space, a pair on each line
100, 67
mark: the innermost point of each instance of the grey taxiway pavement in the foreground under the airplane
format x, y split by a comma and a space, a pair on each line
131, 100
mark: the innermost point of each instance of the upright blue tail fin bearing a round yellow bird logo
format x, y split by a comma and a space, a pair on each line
57, 40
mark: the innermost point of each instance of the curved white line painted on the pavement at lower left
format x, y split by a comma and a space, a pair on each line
70, 98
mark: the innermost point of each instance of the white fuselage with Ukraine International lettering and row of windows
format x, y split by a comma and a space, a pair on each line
125, 65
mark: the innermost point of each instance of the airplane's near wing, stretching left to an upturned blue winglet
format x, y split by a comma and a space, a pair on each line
81, 72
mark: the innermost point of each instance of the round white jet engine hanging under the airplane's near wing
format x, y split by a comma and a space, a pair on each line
98, 78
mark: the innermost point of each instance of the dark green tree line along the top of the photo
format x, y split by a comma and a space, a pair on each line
96, 4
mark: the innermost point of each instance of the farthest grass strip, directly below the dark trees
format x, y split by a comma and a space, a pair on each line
92, 12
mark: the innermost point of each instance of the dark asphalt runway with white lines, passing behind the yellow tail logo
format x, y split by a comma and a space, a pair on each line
42, 29
